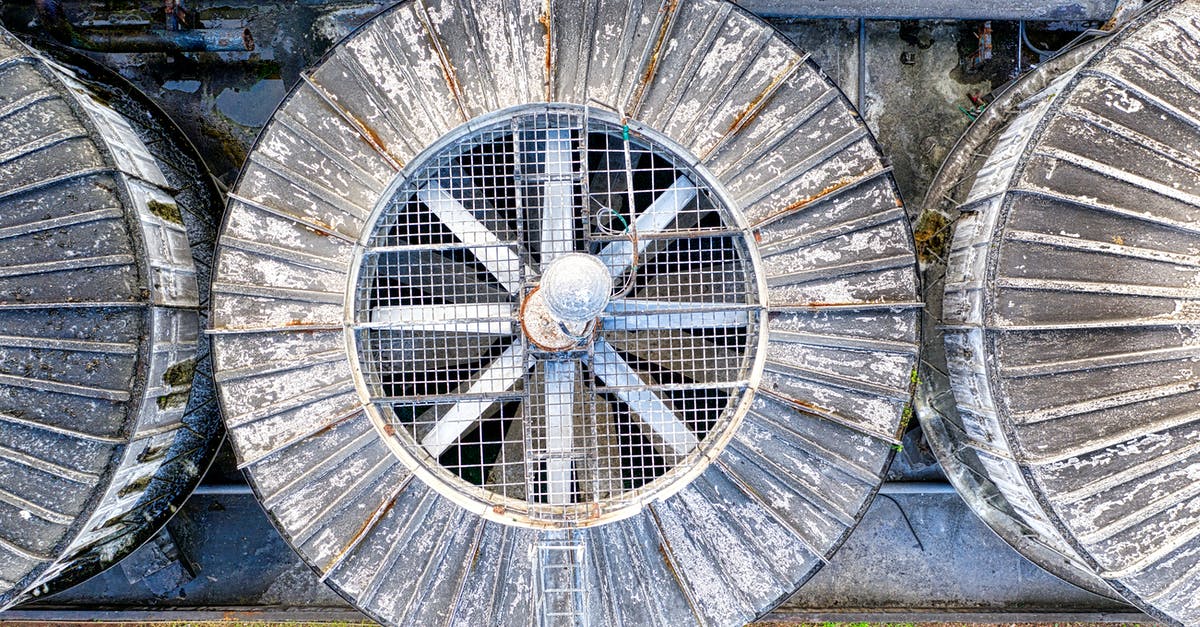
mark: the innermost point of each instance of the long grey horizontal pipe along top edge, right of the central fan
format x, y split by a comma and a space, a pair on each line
1004, 10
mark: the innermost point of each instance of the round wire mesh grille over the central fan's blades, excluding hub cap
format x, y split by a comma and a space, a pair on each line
562, 435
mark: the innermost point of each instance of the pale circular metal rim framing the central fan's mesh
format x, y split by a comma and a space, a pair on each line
509, 511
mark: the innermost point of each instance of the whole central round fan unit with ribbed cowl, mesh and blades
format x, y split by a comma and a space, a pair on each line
566, 313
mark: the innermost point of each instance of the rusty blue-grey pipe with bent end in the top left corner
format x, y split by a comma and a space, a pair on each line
56, 22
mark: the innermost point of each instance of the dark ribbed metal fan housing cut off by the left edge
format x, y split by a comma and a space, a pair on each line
103, 432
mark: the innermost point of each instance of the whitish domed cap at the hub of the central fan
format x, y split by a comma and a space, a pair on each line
561, 313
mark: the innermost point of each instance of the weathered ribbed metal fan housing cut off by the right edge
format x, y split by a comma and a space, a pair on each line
1070, 324
